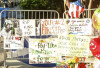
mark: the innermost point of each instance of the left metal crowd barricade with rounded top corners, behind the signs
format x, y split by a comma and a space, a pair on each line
24, 14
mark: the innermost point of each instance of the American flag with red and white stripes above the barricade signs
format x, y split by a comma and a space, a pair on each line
75, 9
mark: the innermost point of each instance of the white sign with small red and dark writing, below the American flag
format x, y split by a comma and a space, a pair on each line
80, 26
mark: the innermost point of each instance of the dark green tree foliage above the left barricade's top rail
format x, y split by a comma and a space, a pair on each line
43, 5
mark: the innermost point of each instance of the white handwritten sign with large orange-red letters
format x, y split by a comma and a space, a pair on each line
52, 26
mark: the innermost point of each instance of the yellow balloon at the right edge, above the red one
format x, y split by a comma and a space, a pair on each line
96, 19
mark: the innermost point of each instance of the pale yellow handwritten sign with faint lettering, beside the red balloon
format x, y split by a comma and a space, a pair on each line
73, 45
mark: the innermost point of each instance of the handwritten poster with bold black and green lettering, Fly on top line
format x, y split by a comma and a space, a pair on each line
42, 51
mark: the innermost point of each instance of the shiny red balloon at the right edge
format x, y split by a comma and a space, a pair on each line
95, 47
